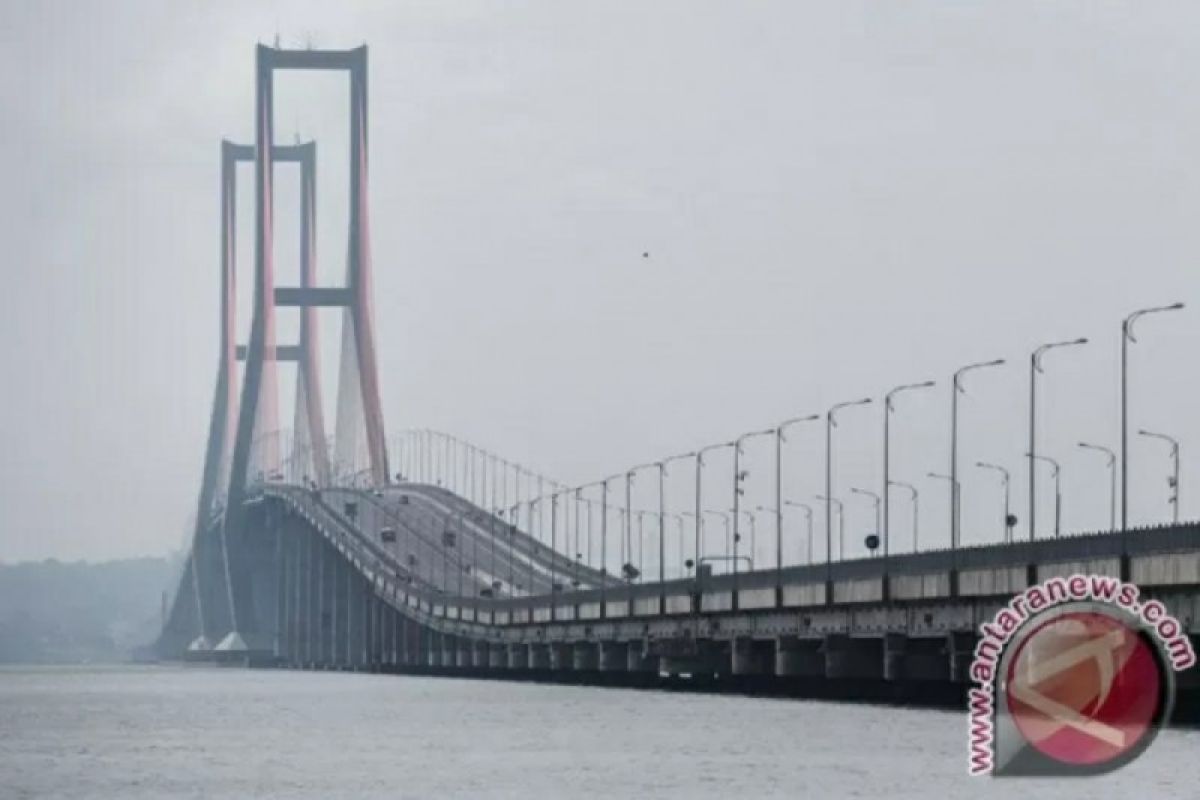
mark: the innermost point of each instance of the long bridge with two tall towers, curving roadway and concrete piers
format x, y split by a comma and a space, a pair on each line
428, 554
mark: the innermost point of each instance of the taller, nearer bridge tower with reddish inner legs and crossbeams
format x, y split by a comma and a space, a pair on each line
359, 437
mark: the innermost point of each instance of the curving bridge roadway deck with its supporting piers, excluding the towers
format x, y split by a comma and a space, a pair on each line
416, 579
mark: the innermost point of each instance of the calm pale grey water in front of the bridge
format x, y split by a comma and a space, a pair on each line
215, 733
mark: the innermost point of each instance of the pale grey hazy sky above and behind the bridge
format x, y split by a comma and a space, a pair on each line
836, 199
